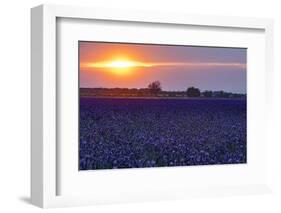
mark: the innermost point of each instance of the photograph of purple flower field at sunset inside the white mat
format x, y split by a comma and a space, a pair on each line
161, 105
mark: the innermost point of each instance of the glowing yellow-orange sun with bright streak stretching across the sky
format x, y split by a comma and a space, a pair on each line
125, 62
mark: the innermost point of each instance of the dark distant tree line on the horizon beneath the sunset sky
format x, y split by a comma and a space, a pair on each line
154, 89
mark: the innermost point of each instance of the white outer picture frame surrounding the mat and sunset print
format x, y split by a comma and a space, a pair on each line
45, 167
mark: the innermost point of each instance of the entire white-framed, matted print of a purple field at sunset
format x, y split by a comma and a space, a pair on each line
130, 106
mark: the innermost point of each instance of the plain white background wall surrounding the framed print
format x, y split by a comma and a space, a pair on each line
15, 104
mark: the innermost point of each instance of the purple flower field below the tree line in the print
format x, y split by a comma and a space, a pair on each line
136, 133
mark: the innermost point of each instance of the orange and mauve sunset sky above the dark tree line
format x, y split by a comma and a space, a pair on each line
123, 65
